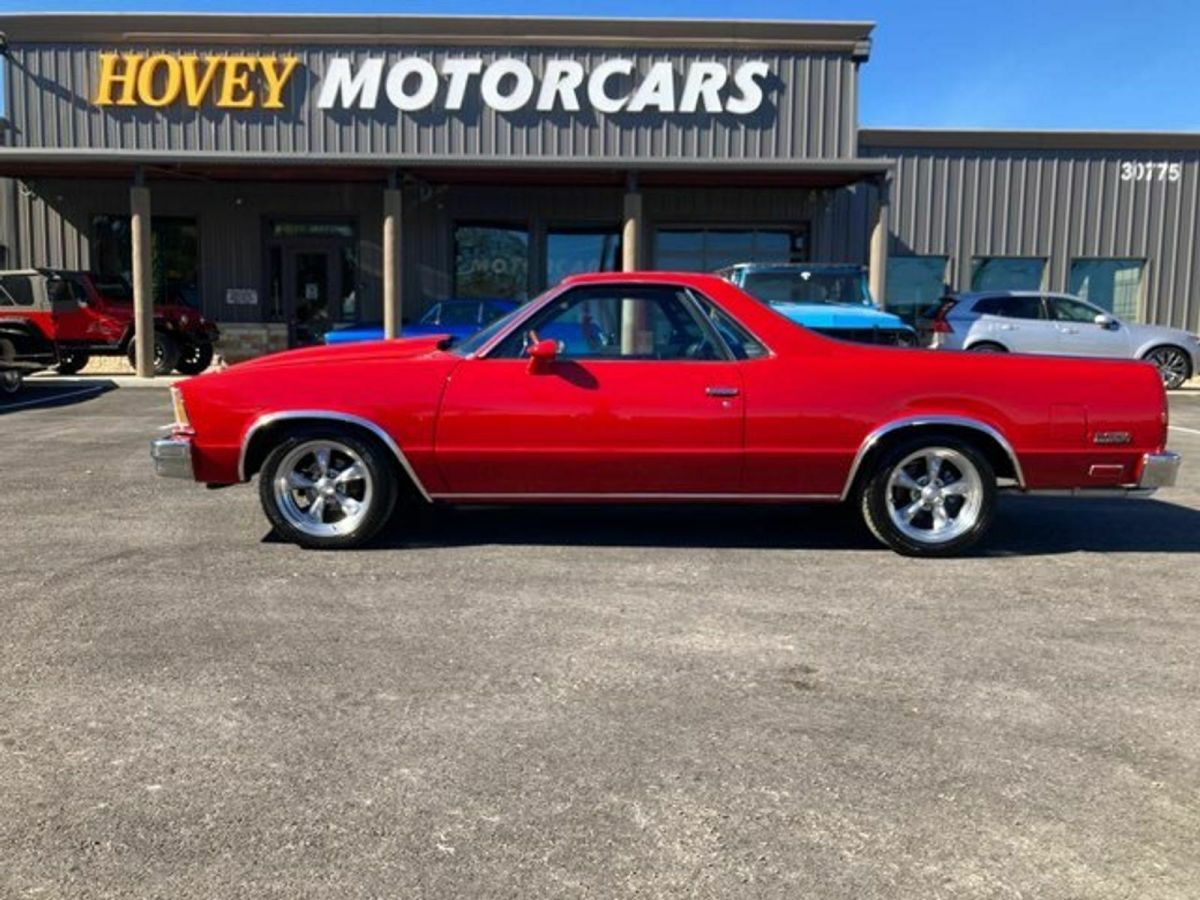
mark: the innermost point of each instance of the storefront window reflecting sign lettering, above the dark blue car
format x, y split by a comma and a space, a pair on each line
491, 262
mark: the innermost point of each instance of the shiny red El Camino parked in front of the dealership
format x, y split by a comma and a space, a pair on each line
665, 387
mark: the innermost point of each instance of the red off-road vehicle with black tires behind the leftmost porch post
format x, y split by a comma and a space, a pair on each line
83, 315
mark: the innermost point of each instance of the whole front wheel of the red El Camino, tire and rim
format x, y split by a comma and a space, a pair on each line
328, 489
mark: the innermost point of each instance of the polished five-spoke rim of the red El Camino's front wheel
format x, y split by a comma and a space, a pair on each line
323, 489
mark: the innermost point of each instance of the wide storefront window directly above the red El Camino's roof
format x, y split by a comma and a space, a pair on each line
705, 250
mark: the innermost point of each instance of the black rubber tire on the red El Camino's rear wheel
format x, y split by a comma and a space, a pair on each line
879, 496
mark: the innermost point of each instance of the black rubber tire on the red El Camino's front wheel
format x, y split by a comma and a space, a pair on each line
380, 491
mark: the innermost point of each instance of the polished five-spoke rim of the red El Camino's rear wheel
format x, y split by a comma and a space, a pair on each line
935, 495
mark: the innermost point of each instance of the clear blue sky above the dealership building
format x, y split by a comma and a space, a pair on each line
1018, 64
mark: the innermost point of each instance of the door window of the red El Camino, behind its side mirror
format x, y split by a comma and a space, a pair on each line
617, 323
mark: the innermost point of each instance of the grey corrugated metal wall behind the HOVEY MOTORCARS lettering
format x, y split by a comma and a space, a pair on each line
809, 112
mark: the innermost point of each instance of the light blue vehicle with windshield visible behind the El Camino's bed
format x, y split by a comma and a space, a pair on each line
831, 298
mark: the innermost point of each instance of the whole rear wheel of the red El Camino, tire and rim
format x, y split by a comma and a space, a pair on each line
931, 497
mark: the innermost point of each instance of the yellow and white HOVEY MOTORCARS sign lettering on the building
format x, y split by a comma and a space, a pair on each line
415, 83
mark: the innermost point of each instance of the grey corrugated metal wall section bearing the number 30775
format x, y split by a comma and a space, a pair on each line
1057, 203
